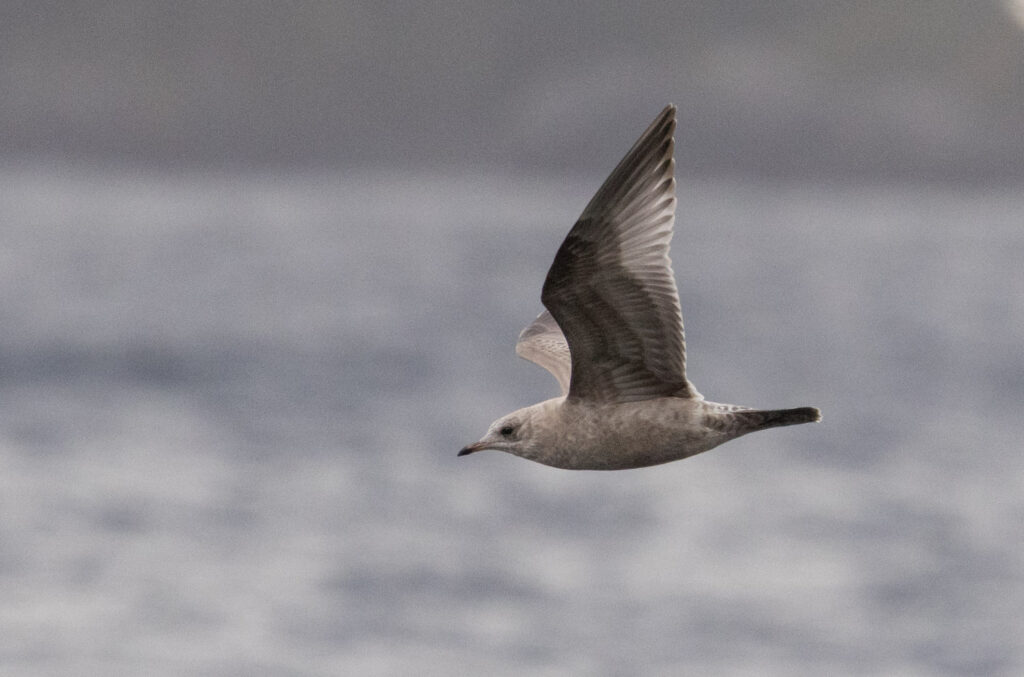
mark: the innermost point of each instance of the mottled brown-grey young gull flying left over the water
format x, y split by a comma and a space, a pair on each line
613, 337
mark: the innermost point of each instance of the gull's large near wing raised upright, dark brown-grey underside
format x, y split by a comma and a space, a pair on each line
611, 288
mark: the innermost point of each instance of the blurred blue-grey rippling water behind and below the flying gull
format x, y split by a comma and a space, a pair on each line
231, 405
